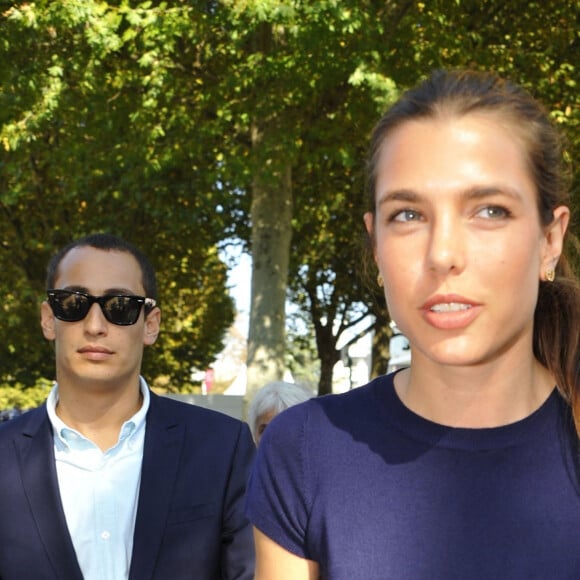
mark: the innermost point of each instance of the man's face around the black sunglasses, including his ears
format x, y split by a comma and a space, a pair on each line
94, 353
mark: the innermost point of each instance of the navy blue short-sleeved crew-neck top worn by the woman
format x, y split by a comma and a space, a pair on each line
370, 490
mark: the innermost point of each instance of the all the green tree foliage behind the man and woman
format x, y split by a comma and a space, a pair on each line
161, 120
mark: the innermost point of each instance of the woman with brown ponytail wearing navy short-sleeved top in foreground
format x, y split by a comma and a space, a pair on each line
463, 465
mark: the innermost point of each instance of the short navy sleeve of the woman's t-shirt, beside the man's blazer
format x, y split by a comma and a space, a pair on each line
278, 501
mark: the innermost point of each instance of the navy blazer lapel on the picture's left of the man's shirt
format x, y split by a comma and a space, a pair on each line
35, 449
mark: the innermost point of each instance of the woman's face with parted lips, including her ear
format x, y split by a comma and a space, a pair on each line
458, 239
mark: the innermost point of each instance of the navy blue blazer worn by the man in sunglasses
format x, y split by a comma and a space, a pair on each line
190, 517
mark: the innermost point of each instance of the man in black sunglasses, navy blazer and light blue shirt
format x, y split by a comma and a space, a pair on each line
108, 481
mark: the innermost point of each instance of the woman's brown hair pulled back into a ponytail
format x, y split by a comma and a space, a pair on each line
458, 93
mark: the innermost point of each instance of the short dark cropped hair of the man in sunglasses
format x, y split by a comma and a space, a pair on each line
107, 242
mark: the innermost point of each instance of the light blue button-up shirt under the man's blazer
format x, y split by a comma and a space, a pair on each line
99, 491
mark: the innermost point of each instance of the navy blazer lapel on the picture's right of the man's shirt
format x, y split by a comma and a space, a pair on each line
161, 452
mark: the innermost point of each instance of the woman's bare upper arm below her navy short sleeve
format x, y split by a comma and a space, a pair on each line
275, 563
